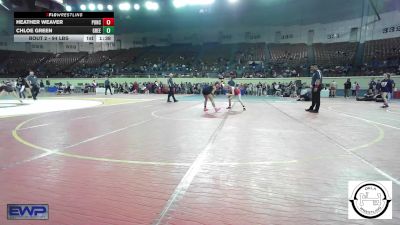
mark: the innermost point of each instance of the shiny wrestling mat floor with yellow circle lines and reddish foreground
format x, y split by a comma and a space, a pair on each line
140, 160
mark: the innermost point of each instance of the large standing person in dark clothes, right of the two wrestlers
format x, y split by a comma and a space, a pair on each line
316, 87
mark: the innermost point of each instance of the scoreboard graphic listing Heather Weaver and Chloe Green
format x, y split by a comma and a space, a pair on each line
63, 26
